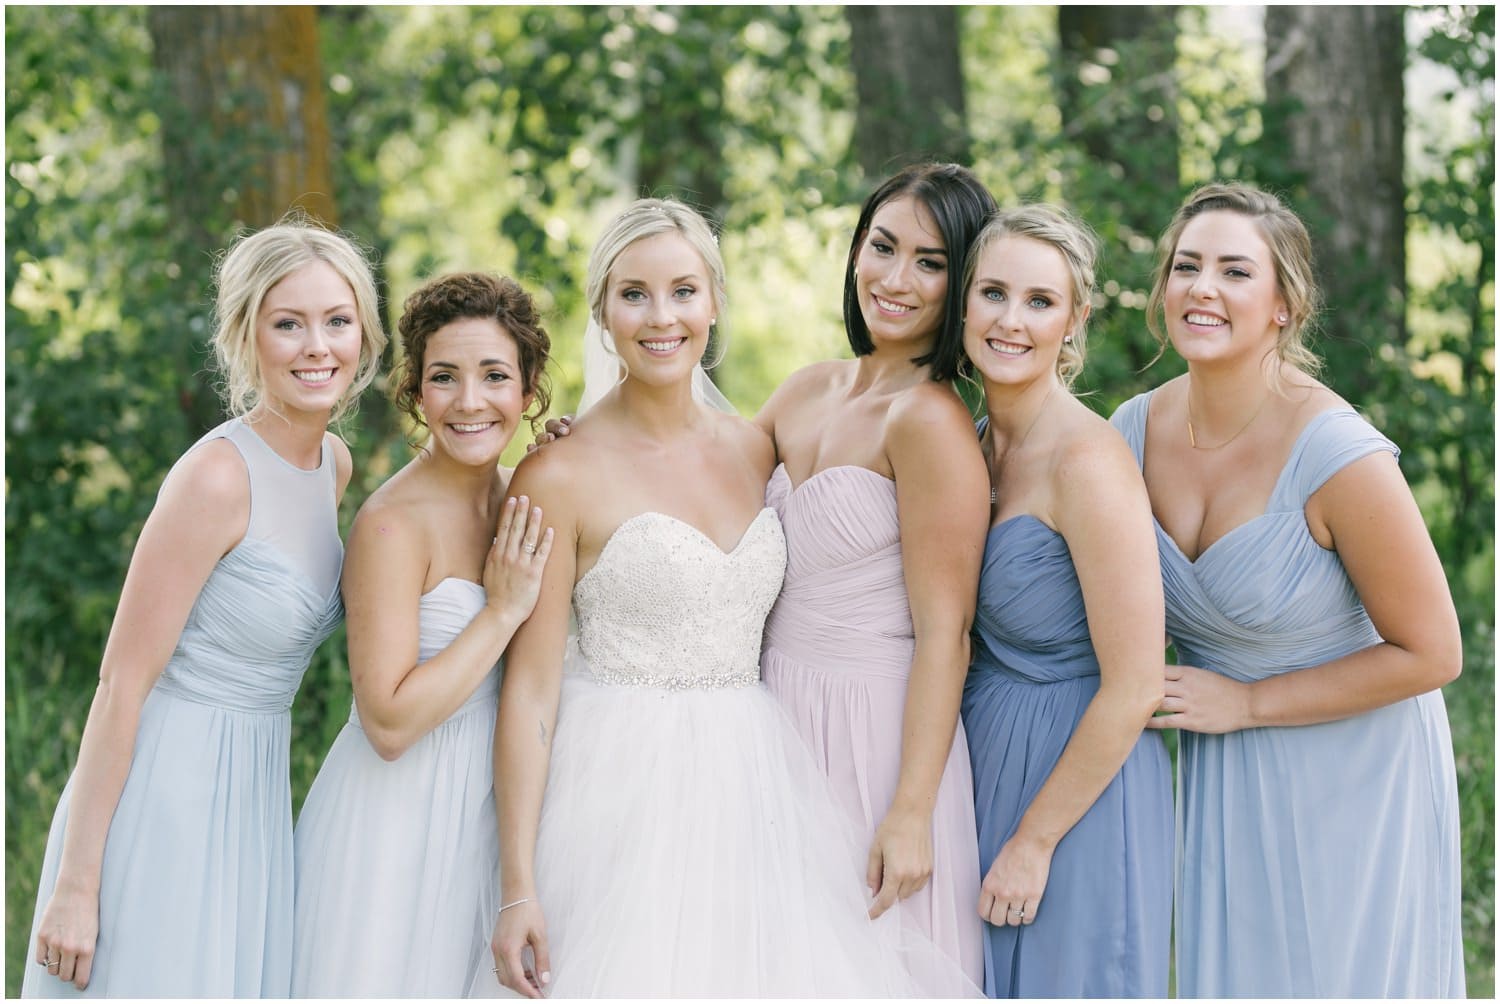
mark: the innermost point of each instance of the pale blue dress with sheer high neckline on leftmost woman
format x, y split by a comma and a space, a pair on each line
196, 894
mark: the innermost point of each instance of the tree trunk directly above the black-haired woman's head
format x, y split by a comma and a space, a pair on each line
910, 86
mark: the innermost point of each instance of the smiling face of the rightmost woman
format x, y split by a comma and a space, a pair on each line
1222, 296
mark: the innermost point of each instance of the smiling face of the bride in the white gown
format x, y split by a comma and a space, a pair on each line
659, 307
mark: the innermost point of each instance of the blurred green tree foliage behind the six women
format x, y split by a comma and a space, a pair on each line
503, 137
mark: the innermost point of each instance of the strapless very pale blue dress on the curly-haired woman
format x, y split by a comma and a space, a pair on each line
398, 864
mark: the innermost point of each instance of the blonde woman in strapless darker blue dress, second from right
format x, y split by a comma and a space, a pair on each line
1073, 799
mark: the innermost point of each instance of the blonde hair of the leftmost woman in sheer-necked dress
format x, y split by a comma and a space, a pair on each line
256, 263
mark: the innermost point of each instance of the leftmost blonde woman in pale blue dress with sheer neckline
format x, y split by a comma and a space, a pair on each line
169, 871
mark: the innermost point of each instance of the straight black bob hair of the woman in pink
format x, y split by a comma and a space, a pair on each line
961, 206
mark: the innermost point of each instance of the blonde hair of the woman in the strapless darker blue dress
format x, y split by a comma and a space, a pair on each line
1081, 250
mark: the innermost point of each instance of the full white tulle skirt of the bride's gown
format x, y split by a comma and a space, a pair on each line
689, 847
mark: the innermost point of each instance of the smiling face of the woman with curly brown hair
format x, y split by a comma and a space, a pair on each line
472, 391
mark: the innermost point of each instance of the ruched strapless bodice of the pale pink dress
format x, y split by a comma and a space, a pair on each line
845, 582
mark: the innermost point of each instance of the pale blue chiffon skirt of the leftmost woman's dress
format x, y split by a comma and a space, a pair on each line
196, 894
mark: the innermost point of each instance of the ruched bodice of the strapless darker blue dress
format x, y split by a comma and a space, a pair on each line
1030, 621
